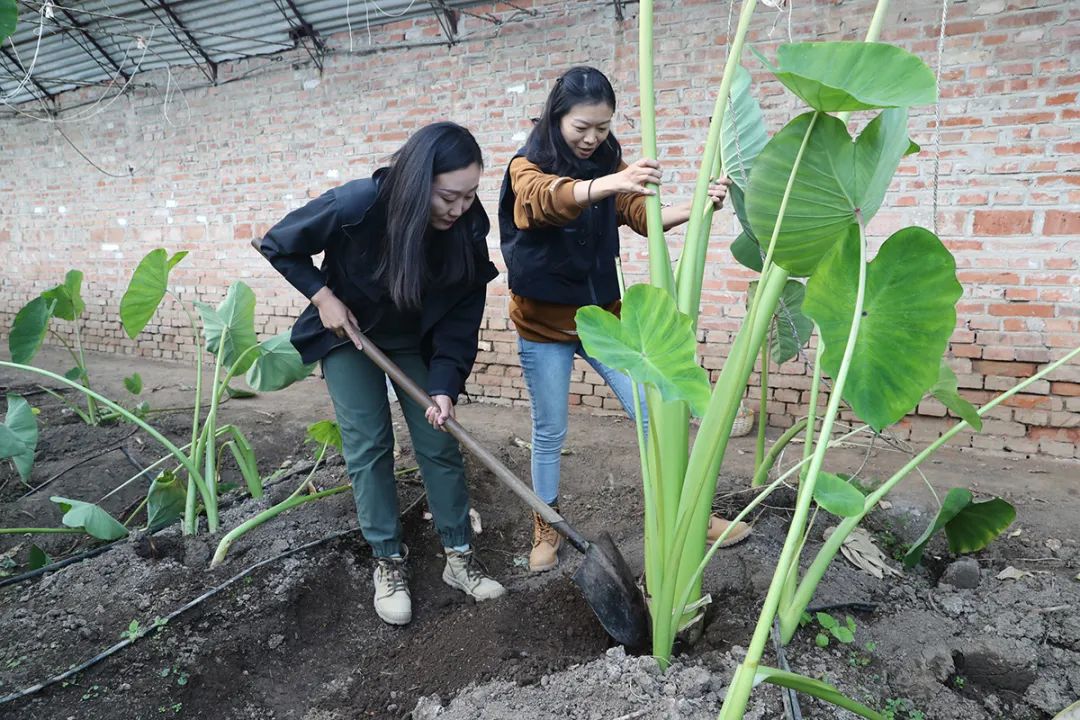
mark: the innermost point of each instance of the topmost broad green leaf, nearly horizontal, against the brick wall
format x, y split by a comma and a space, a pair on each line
835, 77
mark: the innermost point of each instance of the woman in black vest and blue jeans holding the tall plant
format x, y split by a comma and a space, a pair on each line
564, 197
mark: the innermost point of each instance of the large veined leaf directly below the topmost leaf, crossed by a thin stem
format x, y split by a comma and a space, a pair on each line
836, 184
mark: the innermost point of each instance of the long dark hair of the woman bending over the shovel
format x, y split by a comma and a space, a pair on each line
407, 264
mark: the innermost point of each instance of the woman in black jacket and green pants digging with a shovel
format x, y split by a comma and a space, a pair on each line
406, 263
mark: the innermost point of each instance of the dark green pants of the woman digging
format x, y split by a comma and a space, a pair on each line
359, 390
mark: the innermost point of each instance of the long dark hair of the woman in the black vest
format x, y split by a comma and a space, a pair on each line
546, 147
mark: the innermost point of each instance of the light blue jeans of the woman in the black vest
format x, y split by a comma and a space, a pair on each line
547, 368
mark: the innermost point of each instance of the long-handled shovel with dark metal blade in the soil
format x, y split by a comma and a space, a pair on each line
604, 577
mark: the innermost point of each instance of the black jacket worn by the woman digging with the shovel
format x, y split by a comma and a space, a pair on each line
346, 226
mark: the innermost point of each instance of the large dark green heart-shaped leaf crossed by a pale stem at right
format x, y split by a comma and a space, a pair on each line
909, 316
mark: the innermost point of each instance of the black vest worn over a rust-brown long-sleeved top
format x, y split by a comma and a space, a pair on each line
573, 265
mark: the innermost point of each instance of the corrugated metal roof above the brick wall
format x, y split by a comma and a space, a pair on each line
63, 45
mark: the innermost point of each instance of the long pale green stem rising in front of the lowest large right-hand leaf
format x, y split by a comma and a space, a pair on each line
735, 703
